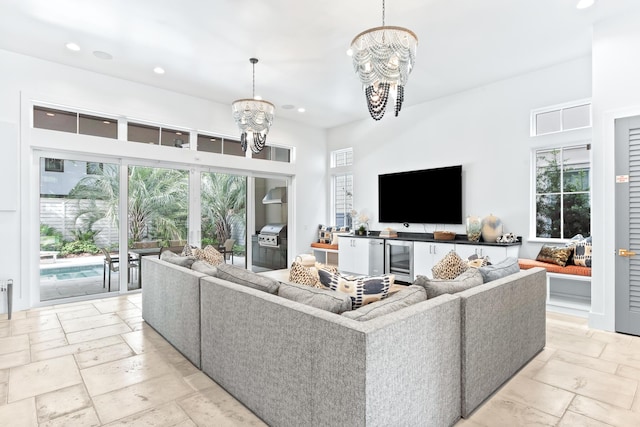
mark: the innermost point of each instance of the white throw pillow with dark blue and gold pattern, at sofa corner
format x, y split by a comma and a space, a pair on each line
362, 289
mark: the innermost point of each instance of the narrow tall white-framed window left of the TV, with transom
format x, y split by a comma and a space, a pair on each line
342, 186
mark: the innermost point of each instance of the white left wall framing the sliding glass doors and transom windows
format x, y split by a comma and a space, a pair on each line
26, 79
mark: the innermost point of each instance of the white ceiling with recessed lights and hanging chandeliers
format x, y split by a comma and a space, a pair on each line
204, 46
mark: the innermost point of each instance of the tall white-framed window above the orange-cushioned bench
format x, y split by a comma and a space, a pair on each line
562, 192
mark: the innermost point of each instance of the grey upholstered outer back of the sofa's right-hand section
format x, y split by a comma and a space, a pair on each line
503, 327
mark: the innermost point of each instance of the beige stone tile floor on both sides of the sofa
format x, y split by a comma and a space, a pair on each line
96, 363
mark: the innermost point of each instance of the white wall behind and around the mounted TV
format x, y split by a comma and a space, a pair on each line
485, 129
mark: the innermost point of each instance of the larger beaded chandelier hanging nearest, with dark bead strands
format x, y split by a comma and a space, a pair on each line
383, 58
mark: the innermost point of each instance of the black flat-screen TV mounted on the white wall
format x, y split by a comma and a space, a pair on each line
428, 196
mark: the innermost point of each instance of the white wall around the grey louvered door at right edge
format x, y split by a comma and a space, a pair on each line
616, 93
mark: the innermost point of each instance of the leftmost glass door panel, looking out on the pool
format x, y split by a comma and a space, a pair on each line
79, 203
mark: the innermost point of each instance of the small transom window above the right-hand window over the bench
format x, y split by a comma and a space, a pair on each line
561, 118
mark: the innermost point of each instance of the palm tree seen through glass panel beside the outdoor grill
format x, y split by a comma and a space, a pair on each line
224, 202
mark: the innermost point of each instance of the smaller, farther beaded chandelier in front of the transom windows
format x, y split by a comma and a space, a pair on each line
254, 118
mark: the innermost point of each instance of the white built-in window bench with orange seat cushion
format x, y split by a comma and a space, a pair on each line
568, 288
